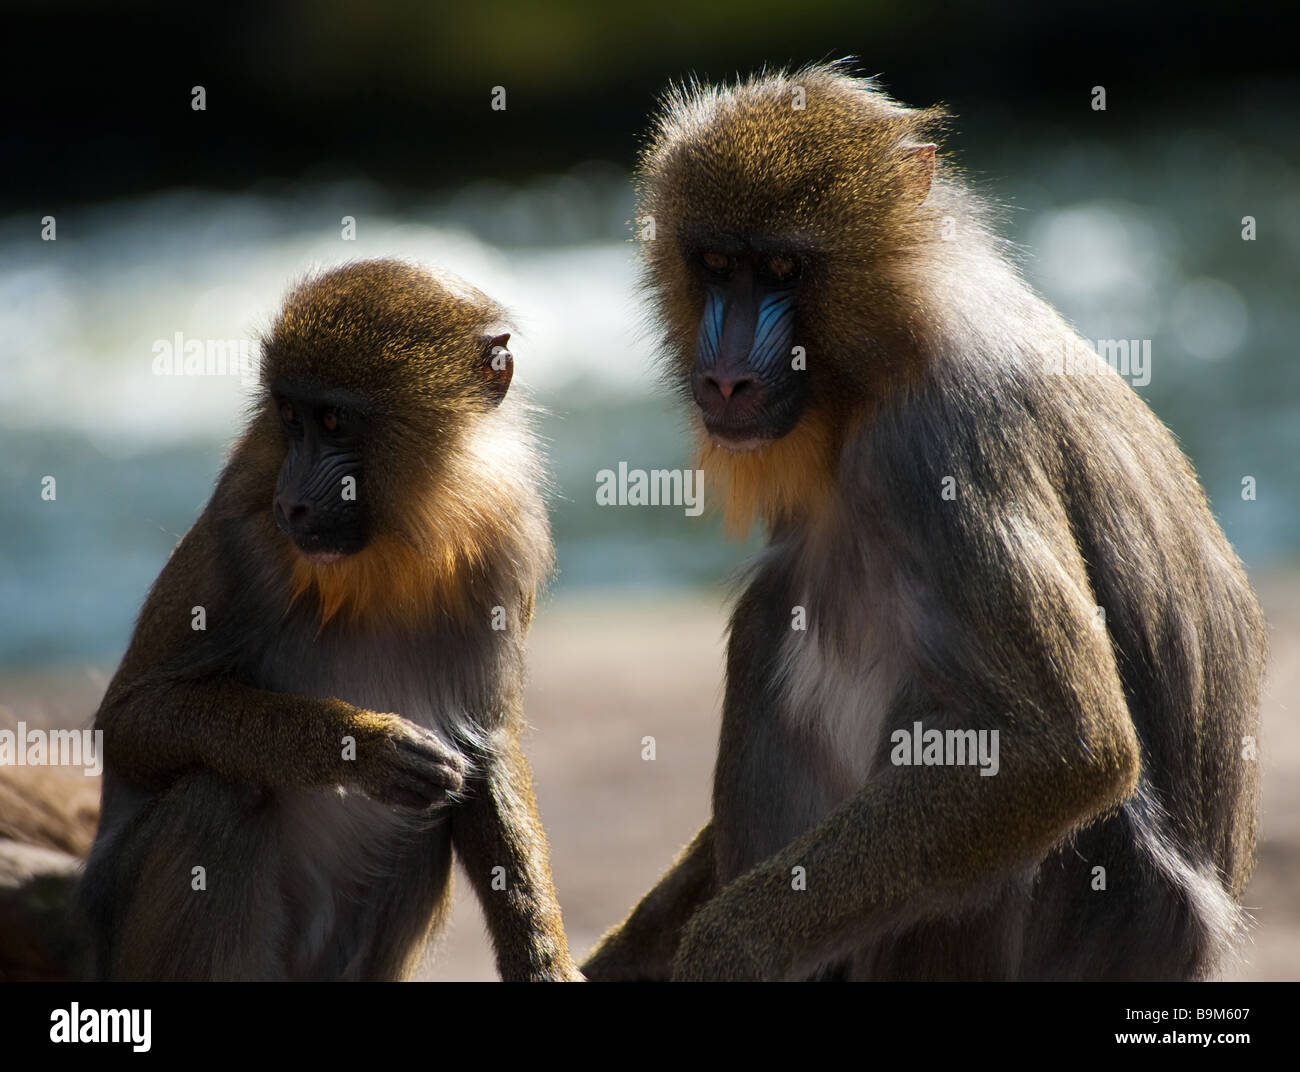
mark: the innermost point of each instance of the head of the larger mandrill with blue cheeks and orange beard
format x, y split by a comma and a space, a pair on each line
785, 224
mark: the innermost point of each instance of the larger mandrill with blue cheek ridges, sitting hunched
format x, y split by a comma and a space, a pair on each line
978, 535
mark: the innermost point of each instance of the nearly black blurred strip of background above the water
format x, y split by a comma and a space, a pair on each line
98, 96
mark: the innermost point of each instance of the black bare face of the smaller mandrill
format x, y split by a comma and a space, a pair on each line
315, 505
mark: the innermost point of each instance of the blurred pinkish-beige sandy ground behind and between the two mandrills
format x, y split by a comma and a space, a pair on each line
606, 675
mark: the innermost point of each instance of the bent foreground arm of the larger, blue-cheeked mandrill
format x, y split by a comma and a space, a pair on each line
924, 840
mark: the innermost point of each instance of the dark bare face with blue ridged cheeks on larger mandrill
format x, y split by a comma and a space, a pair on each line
743, 380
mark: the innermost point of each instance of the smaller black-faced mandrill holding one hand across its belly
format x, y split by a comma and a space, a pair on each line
324, 691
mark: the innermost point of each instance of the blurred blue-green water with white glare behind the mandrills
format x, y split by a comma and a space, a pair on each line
1134, 232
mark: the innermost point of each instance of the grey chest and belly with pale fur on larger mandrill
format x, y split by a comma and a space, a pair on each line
814, 674
